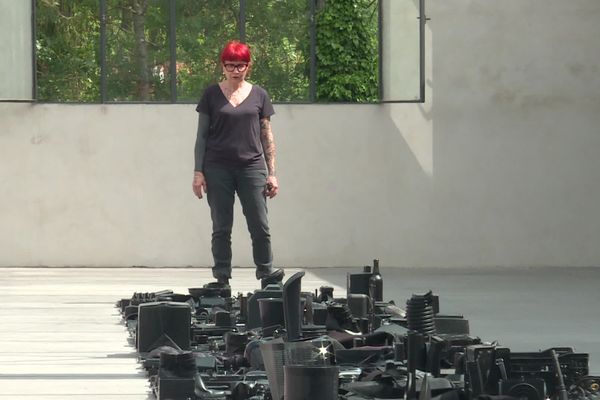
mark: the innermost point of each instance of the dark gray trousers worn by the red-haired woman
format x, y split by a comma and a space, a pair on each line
249, 184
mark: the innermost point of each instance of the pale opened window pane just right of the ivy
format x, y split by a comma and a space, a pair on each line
400, 50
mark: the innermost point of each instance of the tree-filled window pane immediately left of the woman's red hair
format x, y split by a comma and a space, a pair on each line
203, 28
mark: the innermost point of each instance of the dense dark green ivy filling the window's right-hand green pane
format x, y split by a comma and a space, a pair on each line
347, 51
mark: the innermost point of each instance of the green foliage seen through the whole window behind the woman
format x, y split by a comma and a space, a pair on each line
138, 56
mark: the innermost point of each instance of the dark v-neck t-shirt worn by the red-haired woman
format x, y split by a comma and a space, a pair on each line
234, 132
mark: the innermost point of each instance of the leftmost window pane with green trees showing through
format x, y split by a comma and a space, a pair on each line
67, 50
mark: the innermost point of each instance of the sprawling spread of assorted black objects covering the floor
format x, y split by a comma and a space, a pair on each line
279, 341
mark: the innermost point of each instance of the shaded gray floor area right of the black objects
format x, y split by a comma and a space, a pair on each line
525, 309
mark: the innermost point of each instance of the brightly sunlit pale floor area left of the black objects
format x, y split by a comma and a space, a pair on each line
62, 337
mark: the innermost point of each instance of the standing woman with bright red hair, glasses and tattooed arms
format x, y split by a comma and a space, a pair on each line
235, 153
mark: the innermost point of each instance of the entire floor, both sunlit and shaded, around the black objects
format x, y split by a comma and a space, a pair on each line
62, 338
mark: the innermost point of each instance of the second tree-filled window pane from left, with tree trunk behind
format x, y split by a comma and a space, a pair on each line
137, 54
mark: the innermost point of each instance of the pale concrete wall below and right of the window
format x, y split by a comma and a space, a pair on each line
498, 167
